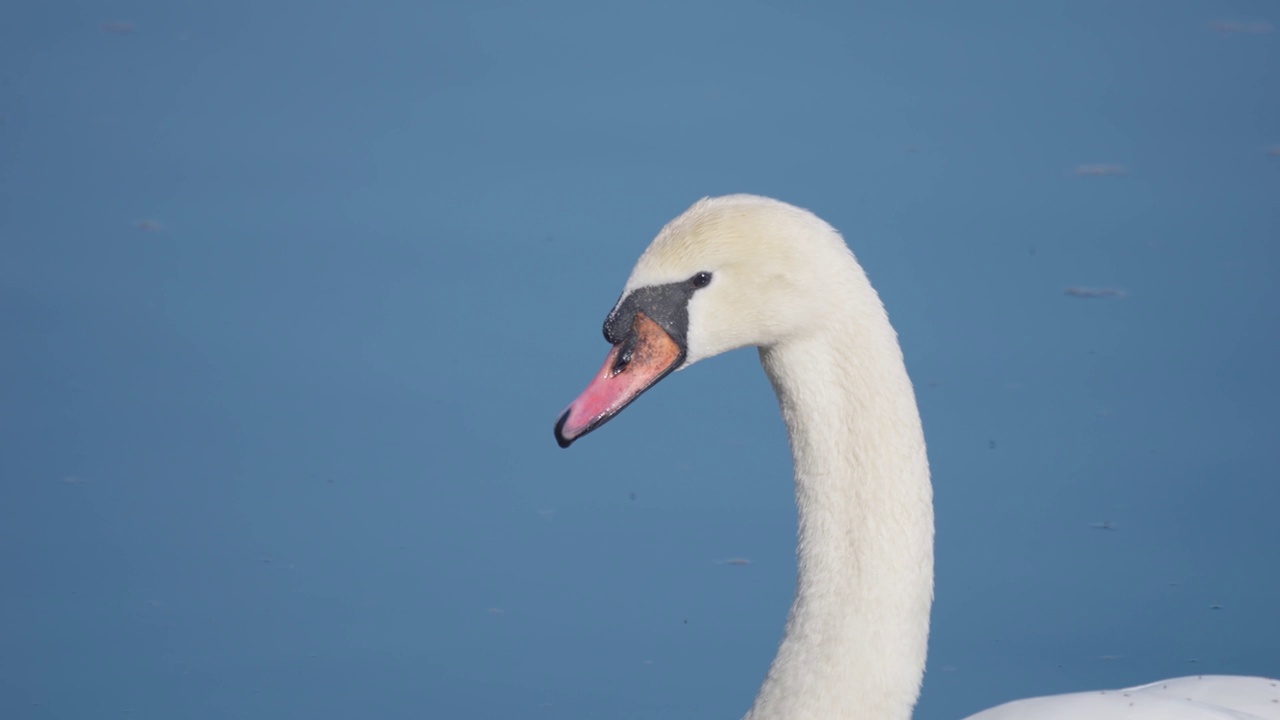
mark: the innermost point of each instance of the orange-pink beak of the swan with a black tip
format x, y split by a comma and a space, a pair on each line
641, 359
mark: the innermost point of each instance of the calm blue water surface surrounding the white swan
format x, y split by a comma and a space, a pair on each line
291, 295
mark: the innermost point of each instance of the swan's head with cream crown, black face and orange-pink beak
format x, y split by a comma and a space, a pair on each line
730, 272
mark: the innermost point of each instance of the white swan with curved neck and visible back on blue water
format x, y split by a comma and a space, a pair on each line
747, 271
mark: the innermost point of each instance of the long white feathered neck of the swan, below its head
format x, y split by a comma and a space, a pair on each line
858, 631
